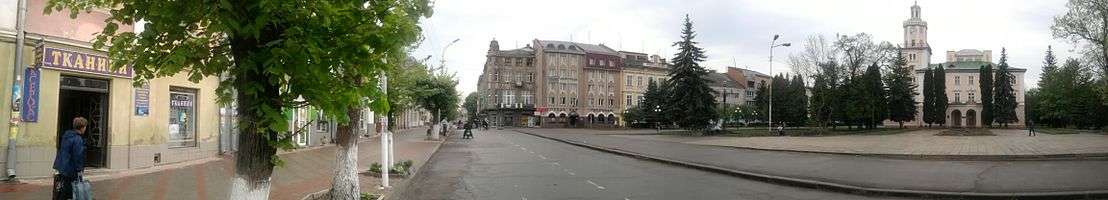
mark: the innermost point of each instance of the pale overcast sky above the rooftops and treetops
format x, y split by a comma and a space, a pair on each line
736, 31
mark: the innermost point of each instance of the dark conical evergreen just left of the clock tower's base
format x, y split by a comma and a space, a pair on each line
901, 92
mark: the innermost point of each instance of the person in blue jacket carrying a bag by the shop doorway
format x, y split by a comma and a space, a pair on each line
69, 162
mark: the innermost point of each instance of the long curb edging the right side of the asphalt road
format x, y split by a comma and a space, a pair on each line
832, 186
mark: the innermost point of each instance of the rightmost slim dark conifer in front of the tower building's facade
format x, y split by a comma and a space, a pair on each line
1004, 102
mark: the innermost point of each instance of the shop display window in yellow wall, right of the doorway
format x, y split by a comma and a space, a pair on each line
182, 118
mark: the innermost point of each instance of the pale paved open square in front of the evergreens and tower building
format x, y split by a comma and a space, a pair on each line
1007, 143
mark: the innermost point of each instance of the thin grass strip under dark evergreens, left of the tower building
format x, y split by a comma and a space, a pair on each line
814, 132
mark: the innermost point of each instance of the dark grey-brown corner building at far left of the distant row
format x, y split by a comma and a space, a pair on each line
508, 87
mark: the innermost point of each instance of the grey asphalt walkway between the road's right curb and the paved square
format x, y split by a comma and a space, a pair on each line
866, 174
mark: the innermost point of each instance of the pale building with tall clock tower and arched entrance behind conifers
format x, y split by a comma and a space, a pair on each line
962, 78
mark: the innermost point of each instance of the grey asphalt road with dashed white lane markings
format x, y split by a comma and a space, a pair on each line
509, 165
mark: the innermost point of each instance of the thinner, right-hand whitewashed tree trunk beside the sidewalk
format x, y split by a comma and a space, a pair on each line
345, 183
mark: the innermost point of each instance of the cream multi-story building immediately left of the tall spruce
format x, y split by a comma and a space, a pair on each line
639, 72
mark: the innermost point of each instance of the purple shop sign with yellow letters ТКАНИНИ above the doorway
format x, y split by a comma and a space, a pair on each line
58, 59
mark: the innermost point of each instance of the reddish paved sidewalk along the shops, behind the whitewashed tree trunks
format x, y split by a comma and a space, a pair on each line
305, 172
